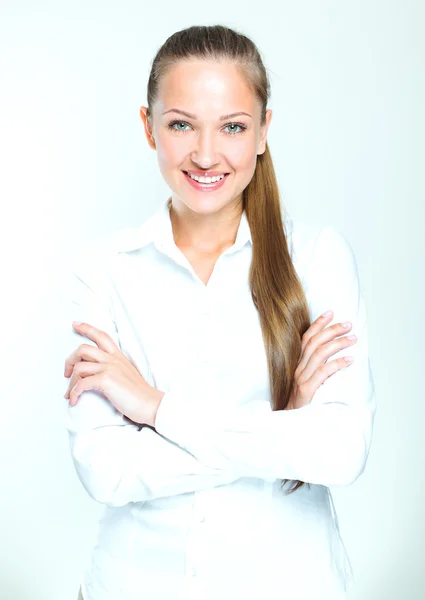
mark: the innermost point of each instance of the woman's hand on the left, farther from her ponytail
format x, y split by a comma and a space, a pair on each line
105, 368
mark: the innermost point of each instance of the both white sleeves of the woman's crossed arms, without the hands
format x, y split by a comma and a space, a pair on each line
190, 449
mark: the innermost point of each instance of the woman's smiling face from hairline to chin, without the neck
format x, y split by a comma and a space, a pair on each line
204, 141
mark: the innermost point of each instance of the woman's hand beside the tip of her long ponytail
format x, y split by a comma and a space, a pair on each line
317, 345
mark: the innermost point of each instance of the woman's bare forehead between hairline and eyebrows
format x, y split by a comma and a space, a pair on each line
201, 87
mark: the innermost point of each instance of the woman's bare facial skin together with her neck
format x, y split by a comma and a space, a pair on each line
211, 140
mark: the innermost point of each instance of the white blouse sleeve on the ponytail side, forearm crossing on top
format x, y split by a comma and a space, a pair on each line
325, 442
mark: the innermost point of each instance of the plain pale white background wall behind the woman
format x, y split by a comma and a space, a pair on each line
347, 140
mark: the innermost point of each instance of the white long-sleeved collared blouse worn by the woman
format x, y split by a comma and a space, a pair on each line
194, 509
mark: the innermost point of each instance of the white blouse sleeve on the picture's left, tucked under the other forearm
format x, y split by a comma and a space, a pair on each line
119, 461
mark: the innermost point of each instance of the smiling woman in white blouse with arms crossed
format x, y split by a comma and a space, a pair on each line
197, 412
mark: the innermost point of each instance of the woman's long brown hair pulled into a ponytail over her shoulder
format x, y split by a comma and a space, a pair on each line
275, 287
